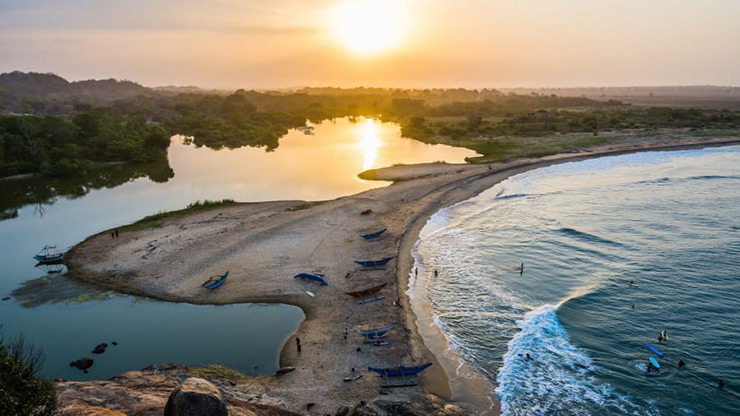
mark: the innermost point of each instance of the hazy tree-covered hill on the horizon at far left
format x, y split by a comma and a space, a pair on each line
32, 92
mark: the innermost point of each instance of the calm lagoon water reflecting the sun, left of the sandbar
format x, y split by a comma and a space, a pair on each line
67, 319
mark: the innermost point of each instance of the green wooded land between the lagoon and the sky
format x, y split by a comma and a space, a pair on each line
56, 128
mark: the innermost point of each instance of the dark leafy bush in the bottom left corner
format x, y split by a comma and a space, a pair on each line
21, 392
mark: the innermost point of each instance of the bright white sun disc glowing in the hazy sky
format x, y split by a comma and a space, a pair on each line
368, 27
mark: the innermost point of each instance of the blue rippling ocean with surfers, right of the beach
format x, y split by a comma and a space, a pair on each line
667, 221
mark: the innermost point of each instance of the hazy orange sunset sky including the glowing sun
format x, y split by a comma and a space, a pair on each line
400, 43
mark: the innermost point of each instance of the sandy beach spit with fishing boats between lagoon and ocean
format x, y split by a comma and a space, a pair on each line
263, 245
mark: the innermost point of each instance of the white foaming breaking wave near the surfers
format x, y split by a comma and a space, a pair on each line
558, 379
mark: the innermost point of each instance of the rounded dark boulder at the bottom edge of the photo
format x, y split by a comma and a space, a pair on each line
195, 396
